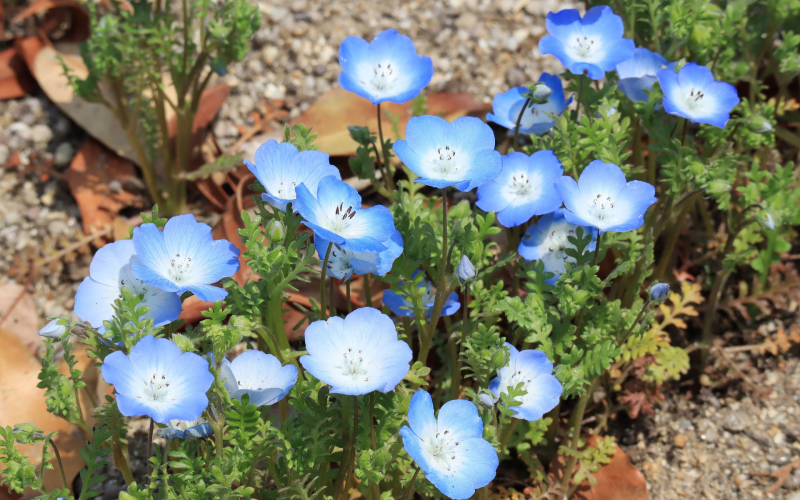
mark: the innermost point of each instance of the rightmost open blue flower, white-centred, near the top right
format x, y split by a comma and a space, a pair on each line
692, 93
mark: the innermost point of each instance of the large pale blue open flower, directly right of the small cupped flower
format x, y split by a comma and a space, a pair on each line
358, 354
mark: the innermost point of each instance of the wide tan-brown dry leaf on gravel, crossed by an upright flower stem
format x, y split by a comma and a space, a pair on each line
331, 114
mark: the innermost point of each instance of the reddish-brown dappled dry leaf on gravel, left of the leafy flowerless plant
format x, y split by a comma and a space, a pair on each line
102, 184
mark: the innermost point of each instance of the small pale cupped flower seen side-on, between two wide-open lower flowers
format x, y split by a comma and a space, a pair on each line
258, 375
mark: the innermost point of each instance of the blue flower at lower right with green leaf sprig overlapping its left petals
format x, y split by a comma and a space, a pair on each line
535, 372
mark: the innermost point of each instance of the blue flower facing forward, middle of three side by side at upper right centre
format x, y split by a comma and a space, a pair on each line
523, 188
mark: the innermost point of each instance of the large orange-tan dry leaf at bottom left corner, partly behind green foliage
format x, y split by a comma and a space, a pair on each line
21, 401
